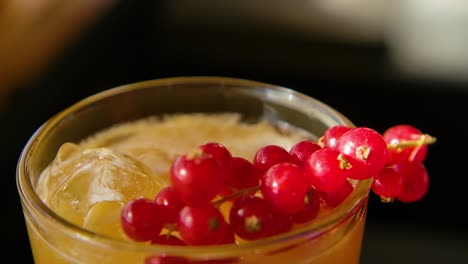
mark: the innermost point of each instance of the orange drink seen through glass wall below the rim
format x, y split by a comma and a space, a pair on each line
341, 245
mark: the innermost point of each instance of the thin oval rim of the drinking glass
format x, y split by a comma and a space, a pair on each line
31, 200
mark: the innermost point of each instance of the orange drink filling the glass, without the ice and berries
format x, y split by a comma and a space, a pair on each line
52, 243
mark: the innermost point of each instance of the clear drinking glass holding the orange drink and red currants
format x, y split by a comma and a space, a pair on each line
336, 238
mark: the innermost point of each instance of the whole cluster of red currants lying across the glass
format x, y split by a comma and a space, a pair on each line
279, 188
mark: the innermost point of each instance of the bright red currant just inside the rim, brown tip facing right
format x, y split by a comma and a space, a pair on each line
328, 169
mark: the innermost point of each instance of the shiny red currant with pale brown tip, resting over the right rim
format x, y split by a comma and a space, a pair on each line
366, 146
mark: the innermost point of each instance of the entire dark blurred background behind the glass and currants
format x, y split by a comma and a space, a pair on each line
379, 62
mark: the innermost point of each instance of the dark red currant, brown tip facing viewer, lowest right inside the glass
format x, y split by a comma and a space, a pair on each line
250, 217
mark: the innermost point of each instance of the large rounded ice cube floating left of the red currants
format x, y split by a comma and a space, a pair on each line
79, 177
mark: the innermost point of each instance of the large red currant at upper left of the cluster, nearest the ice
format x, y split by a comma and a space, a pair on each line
197, 177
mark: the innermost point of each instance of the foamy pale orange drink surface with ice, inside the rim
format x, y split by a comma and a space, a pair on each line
88, 183
